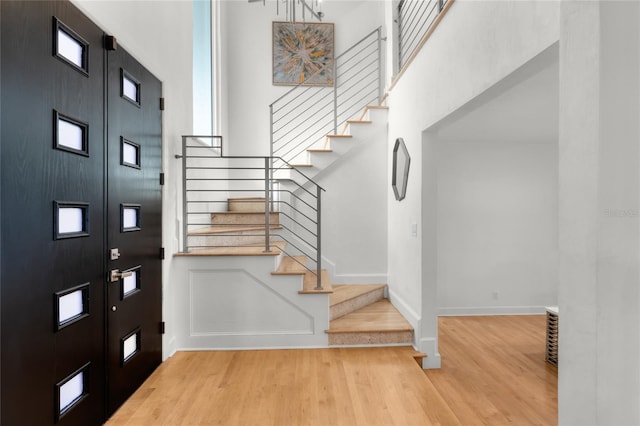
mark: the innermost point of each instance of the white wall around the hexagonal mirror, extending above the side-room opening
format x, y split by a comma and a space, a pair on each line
476, 45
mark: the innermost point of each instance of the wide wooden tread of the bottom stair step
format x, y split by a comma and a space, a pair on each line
377, 317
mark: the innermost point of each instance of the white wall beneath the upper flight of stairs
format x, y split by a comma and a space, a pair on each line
354, 212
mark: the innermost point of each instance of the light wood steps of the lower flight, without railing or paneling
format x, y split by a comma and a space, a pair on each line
359, 314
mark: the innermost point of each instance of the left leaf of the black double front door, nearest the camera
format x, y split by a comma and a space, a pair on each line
53, 239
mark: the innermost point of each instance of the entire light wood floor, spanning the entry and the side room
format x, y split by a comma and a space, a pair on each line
493, 373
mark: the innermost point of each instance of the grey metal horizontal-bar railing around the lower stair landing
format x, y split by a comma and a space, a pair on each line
284, 205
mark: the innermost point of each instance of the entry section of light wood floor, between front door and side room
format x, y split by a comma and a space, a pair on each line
342, 386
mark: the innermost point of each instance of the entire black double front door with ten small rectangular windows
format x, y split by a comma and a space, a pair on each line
64, 192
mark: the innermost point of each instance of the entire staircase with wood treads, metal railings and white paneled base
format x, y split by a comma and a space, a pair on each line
266, 273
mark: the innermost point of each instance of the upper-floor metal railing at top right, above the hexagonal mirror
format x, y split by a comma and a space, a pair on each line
415, 17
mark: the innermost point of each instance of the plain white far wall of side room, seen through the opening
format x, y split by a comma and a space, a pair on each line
497, 208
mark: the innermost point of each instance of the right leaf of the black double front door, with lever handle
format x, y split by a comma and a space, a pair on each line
134, 219
